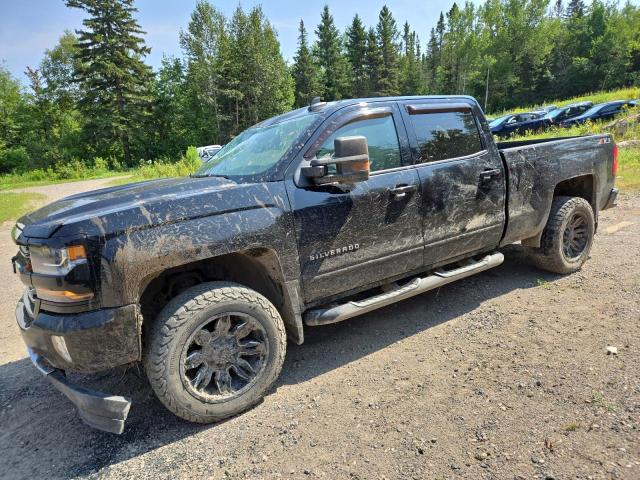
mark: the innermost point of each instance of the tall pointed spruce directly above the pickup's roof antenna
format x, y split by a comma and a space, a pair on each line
328, 52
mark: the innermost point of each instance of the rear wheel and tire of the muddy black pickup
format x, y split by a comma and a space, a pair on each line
566, 254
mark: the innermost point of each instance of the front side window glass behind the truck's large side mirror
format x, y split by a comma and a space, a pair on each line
382, 139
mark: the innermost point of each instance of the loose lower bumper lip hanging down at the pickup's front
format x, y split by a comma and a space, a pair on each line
98, 410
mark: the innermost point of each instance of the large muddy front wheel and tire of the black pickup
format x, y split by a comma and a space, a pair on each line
190, 331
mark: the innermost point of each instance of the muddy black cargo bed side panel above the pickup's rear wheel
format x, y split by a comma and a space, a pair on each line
533, 168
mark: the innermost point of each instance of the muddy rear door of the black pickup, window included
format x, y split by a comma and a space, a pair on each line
461, 176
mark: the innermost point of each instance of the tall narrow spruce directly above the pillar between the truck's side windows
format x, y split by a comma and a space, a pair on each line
388, 40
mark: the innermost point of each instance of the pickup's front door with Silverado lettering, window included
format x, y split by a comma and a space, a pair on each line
350, 237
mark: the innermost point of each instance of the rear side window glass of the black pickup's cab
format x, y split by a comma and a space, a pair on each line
445, 135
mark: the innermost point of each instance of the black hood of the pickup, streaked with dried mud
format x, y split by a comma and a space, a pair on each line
140, 205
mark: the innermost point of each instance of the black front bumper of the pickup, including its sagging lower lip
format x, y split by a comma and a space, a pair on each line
82, 342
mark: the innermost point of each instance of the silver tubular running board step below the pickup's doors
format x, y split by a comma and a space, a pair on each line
324, 316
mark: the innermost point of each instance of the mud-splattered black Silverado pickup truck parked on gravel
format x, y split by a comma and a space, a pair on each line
305, 219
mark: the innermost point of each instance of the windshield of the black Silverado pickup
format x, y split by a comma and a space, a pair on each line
257, 149
